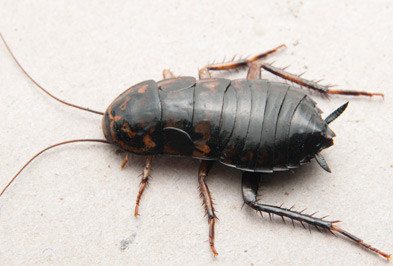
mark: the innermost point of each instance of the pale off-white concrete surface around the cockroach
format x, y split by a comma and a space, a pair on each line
73, 205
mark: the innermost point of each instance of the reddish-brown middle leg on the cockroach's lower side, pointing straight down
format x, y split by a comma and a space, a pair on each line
204, 168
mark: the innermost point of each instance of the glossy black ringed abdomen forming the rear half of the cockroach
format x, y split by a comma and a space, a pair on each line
261, 140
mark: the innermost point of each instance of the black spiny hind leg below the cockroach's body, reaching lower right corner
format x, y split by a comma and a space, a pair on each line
250, 183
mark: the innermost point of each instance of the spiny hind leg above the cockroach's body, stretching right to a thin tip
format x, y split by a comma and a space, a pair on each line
325, 89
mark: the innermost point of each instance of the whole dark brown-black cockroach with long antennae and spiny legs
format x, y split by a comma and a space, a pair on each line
255, 125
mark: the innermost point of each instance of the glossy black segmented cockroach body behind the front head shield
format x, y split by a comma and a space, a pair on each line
242, 123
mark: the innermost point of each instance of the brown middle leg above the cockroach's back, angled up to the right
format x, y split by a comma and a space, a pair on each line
237, 63
